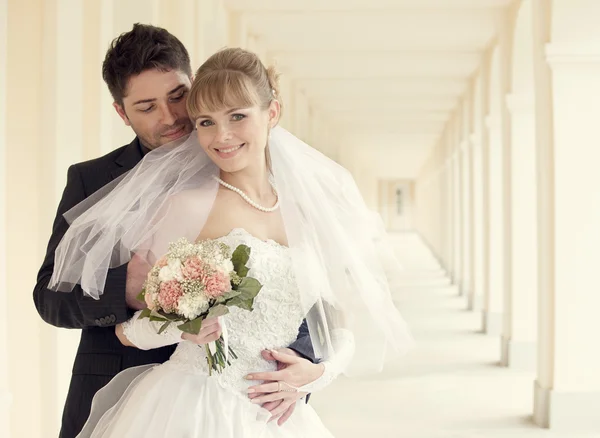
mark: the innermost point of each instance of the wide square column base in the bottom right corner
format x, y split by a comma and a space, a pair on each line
566, 411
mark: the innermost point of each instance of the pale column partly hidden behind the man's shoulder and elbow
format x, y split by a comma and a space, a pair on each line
63, 123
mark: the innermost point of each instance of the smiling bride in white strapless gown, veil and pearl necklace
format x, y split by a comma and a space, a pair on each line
238, 179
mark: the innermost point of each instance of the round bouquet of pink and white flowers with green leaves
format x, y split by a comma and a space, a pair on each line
195, 281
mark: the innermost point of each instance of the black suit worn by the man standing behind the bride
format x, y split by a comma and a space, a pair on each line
100, 355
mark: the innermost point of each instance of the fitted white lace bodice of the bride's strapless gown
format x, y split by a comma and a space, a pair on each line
273, 323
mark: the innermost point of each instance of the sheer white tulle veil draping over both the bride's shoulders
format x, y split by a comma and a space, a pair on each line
334, 242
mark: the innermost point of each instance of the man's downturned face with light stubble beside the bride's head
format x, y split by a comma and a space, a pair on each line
155, 108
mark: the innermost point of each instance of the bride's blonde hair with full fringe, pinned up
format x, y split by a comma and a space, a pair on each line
232, 77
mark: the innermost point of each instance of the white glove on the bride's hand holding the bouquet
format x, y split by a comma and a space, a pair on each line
143, 333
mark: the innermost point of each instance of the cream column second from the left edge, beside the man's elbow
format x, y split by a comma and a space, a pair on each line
29, 411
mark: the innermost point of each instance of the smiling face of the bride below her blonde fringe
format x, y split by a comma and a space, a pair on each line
235, 138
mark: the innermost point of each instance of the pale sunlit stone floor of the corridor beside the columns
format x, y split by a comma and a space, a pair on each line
450, 385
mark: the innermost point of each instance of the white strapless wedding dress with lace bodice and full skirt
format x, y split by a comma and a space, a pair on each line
178, 399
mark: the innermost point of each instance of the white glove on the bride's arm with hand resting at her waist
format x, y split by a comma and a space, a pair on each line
343, 345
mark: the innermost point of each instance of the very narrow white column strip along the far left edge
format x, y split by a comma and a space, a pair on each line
5, 395
